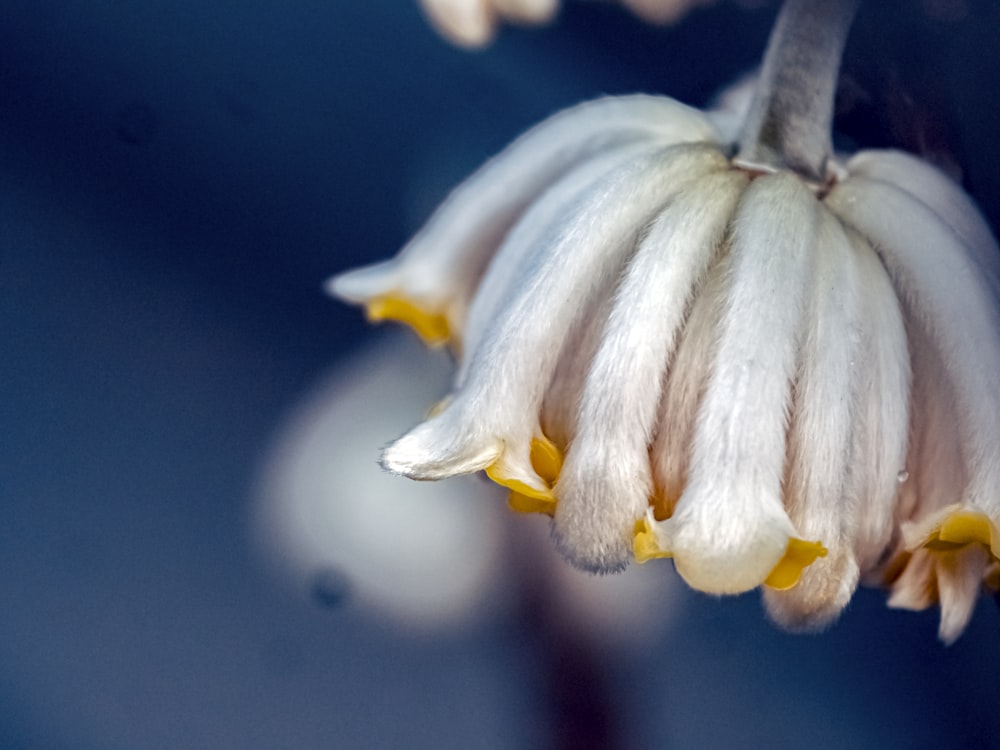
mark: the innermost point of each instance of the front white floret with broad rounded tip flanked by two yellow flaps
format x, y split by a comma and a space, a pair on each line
730, 529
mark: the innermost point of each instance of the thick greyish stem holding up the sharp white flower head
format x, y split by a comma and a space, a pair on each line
790, 120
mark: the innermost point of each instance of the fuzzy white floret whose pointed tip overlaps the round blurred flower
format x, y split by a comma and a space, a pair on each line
501, 398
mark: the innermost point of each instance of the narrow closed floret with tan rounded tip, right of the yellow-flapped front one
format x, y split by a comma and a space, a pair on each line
824, 414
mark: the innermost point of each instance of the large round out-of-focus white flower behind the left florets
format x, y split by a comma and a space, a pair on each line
329, 512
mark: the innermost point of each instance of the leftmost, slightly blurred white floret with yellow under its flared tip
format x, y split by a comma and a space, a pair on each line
435, 276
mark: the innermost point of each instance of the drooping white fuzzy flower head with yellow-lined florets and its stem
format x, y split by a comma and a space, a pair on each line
776, 368
